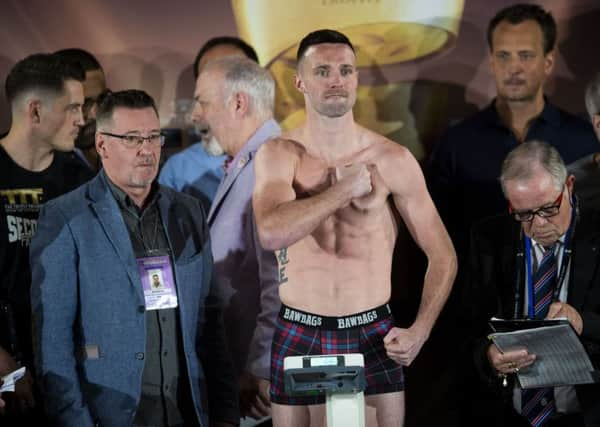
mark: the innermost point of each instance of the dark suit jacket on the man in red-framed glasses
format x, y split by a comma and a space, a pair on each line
496, 270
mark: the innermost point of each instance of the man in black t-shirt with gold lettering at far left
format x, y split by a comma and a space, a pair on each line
36, 165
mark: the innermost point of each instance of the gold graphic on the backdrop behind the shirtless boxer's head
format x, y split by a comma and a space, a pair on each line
384, 32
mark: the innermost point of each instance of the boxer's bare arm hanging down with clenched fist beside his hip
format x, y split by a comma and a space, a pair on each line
412, 200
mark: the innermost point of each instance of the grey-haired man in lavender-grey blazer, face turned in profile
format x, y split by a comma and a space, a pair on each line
235, 97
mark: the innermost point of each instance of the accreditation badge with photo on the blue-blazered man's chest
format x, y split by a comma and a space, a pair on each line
158, 284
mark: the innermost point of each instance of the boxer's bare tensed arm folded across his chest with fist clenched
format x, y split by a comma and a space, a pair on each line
281, 218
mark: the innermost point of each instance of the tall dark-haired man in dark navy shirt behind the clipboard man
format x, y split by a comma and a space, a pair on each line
466, 163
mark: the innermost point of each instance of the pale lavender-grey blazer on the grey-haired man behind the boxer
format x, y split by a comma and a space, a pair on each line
246, 275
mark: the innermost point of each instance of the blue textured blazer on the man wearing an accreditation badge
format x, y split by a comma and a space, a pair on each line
89, 310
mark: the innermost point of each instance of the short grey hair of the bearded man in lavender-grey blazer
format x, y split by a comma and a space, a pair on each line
244, 75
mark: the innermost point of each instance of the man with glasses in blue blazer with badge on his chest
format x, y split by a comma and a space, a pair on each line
111, 350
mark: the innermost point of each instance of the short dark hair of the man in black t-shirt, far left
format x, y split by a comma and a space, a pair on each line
40, 72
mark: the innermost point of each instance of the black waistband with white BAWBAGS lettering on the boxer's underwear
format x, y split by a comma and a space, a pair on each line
335, 323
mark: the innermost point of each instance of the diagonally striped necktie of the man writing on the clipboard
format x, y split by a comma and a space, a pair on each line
537, 404
